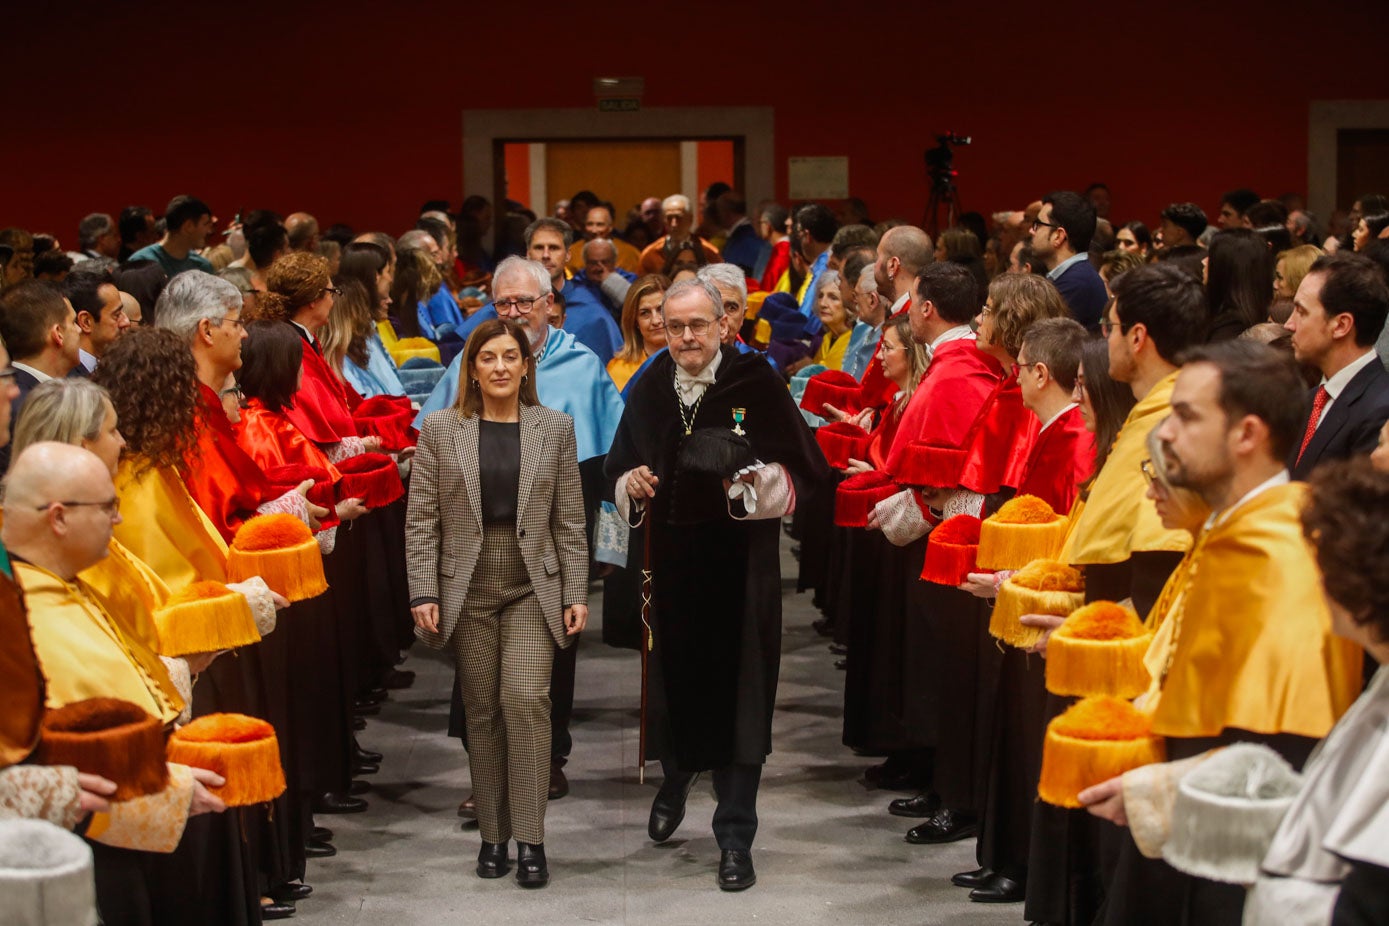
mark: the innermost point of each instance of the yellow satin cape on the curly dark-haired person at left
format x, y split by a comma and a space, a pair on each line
165, 528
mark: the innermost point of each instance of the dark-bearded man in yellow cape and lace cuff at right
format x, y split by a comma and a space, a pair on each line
1245, 641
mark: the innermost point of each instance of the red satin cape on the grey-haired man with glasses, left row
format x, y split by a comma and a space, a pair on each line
224, 482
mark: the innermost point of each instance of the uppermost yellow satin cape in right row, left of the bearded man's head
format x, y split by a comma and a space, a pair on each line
1117, 520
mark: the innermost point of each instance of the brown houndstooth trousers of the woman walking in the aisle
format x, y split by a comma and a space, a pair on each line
505, 650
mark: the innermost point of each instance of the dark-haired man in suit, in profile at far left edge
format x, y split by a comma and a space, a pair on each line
41, 332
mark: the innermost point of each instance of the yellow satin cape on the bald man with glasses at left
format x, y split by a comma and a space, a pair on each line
88, 655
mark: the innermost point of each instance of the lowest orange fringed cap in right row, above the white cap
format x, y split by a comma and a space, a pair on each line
1091, 743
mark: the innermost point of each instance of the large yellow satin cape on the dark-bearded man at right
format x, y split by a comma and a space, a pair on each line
1254, 646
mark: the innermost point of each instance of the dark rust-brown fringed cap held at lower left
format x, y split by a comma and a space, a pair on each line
109, 738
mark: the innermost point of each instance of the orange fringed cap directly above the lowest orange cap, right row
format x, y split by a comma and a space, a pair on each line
1099, 650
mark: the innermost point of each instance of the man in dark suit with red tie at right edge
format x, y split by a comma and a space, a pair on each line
1340, 310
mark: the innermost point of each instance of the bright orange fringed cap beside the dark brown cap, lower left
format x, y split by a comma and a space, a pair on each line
241, 749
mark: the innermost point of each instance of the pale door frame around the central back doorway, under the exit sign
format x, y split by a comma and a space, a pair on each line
751, 128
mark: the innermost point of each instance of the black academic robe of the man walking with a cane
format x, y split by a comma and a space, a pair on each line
716, 587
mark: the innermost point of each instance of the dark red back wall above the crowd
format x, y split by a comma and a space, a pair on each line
352, 110
